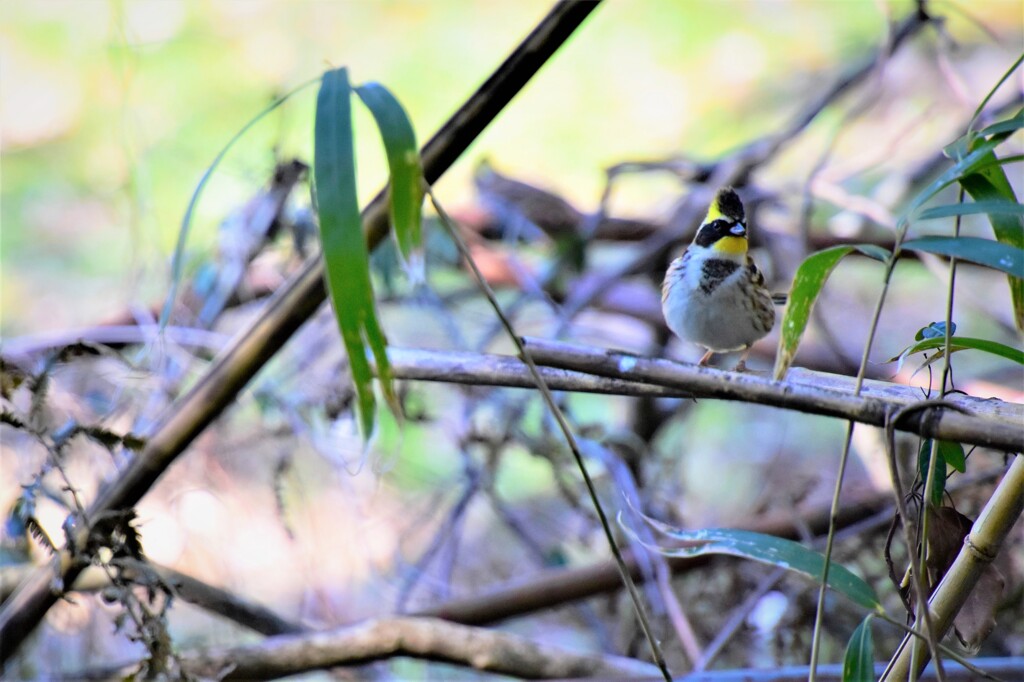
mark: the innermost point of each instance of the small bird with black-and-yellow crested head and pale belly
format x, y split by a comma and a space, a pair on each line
714, 295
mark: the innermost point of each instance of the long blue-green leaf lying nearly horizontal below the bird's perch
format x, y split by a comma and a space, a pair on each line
765, 549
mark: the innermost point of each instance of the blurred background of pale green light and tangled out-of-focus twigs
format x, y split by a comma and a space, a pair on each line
111, 112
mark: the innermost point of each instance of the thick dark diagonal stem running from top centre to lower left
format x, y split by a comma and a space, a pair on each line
286, 312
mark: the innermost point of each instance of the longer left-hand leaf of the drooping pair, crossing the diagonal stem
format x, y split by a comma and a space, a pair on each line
346, 255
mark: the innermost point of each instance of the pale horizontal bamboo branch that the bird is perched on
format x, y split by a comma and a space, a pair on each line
992, 423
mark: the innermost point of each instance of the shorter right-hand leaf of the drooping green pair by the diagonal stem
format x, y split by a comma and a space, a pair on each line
406, 172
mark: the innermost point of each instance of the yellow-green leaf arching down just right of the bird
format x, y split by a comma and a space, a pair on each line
807, 285
